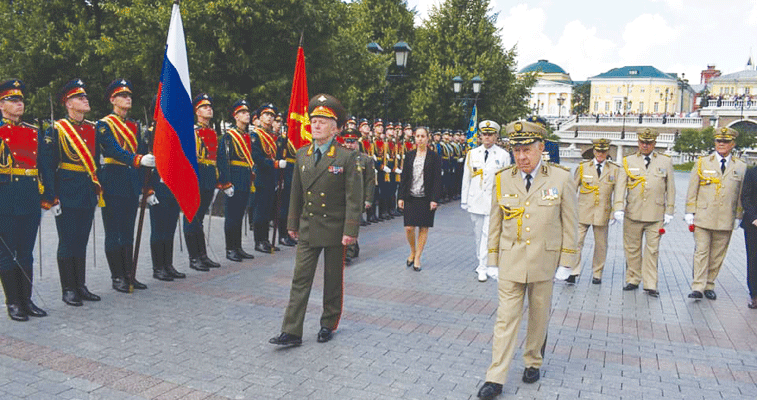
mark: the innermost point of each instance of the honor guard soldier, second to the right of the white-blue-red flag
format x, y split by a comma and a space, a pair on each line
236, 176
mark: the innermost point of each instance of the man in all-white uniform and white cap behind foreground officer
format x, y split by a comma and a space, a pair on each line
481, 164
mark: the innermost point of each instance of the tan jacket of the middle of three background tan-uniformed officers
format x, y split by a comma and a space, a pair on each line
650, 192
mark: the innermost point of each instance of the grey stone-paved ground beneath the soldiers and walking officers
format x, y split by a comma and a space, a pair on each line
403, 335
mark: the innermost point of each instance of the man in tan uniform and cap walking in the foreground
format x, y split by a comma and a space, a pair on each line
532, 231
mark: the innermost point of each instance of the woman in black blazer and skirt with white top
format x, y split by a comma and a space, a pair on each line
418, 194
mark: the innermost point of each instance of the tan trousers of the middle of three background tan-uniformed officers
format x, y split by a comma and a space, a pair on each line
640, 269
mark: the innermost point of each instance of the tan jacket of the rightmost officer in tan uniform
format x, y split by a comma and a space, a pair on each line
715, 197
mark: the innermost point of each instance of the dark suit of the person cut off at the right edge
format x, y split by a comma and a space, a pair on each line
749, 203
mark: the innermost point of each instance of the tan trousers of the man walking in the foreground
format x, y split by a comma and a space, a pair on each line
509, 315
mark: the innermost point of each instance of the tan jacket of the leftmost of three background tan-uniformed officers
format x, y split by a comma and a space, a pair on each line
596, 195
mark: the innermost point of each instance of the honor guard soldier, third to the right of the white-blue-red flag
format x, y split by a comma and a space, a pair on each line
265, 154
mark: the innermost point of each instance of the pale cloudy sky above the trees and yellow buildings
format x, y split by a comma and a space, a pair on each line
589, 37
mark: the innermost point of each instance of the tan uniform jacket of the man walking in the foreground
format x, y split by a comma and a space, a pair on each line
531, 233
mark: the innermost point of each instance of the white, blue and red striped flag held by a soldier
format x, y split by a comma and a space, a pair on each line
174, 146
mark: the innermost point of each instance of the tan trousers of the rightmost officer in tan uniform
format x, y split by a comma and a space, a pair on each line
709, 252
